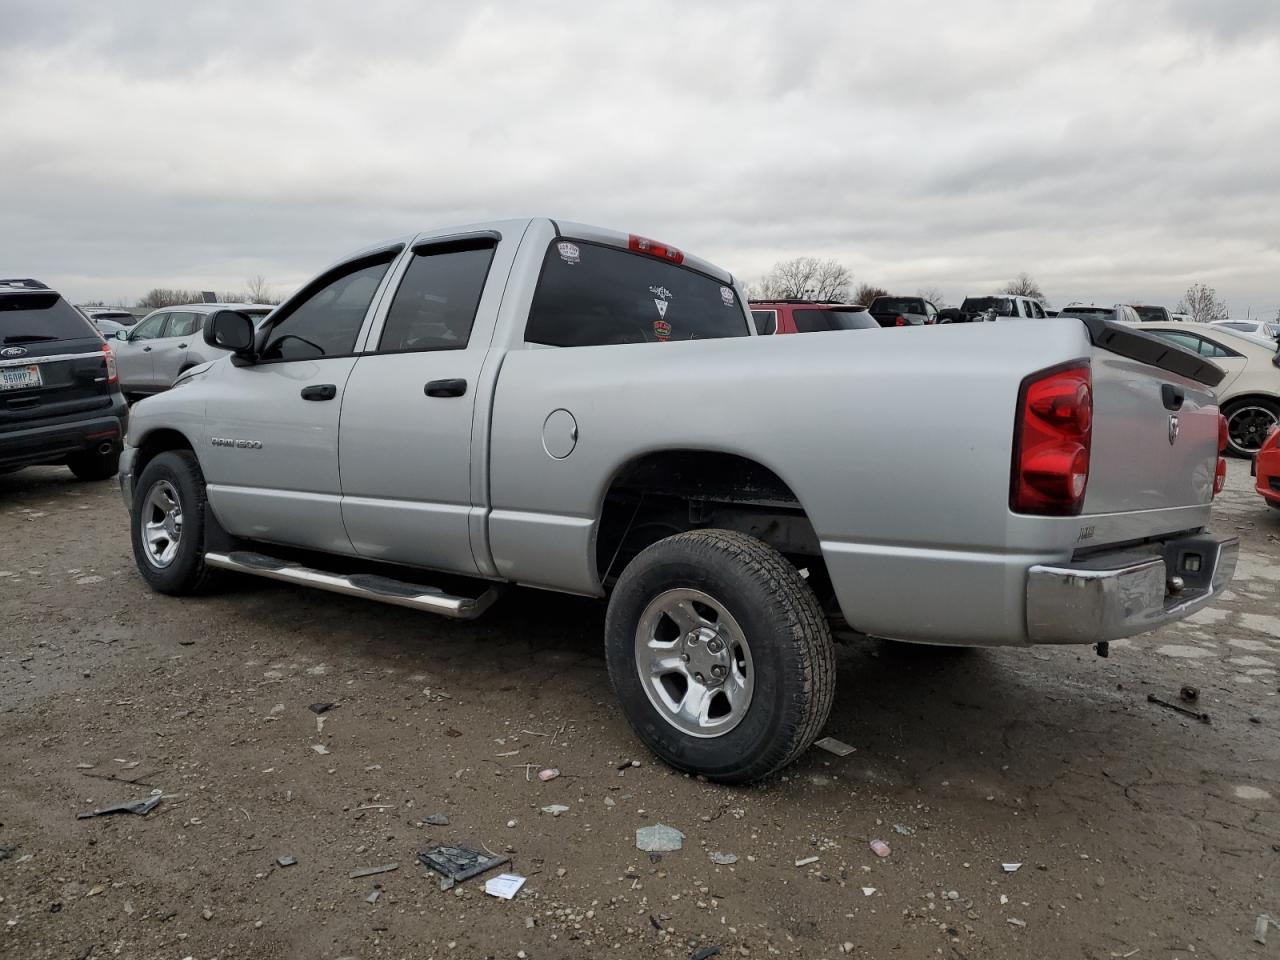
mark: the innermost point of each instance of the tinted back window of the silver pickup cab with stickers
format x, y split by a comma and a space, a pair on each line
592, 295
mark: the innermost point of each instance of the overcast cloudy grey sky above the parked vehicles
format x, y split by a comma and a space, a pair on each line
1116, 150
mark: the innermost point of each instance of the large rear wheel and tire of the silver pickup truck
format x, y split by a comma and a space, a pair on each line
775, 655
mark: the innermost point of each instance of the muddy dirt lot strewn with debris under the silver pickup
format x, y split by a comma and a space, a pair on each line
1142, 834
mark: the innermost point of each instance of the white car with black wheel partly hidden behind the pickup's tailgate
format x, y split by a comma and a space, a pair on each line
1250, 394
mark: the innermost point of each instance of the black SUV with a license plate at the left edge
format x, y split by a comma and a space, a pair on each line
61, 401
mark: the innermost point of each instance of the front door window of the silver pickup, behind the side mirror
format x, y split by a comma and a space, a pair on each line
327, 322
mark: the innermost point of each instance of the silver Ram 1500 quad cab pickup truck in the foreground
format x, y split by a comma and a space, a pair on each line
566, 408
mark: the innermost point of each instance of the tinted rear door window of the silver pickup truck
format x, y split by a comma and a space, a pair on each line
437, 301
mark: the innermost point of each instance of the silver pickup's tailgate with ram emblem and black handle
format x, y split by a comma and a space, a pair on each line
1155, 424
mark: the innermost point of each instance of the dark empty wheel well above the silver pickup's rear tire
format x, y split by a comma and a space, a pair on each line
661, 495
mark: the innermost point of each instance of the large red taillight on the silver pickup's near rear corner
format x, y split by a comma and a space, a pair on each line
1052, 444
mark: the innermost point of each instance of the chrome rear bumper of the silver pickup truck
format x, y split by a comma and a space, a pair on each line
1116, 596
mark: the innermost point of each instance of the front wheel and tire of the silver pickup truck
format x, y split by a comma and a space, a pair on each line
173, 561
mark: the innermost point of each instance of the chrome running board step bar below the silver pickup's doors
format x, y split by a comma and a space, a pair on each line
418, 597
